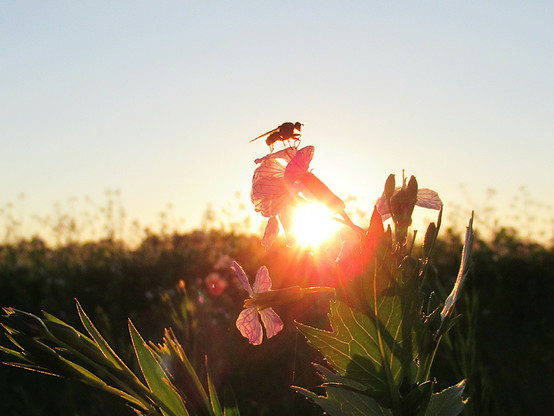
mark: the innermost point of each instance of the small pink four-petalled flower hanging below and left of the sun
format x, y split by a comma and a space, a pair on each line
248, 322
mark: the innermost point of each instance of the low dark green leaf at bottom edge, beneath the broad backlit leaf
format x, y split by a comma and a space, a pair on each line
343, 402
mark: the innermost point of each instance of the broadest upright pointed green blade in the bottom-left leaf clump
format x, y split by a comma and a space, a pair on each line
158, 382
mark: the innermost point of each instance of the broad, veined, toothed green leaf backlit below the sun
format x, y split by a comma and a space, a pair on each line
360, 347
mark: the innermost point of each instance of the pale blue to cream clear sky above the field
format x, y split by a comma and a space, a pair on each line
160, 99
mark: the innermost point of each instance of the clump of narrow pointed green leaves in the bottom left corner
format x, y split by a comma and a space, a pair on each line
66, 352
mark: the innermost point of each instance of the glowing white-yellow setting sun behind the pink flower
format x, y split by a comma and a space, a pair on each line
313, 224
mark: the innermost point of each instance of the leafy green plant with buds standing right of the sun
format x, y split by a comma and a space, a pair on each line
386, 342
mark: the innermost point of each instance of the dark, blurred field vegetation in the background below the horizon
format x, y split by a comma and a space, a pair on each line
503, 344
